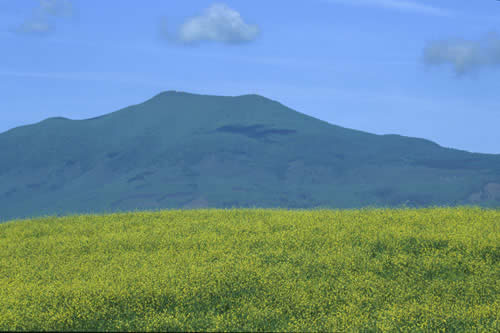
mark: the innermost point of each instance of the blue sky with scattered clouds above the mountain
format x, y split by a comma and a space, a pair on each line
417, 68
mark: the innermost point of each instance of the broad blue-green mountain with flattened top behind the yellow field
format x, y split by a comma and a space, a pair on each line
181, 150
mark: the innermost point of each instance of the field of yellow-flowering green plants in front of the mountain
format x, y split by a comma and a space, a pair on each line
254, 270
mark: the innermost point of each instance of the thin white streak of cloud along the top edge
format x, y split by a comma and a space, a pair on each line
400, 5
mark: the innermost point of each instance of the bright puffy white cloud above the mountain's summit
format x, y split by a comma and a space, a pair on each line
218, 23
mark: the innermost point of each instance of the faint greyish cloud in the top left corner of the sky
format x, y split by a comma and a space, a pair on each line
39, 22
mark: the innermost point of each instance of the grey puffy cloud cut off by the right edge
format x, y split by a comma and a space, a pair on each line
466, 56
